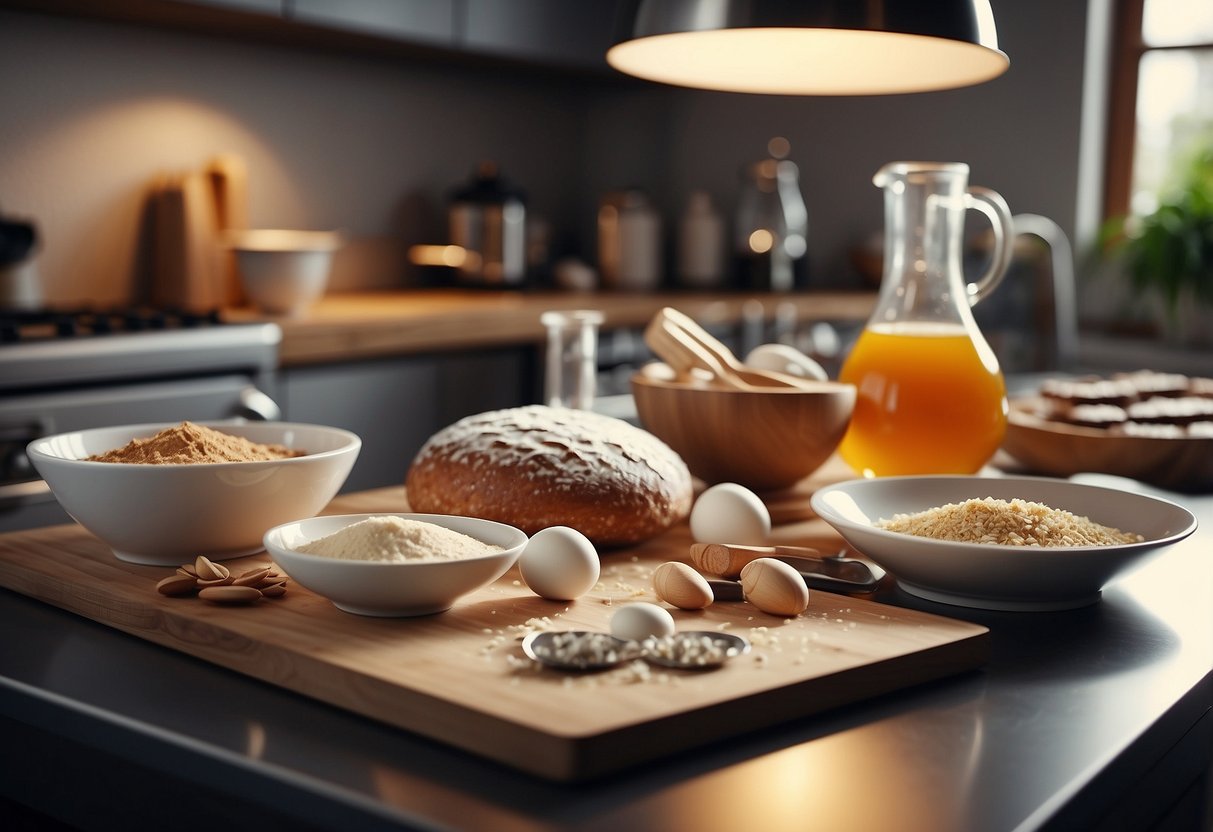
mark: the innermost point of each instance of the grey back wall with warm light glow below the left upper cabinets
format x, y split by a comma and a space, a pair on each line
93, 112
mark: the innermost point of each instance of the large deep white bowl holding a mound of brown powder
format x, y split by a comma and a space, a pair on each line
168, 515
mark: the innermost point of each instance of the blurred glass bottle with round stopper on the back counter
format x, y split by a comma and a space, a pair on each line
771, 237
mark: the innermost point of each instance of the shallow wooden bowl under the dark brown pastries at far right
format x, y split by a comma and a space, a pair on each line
1062, 451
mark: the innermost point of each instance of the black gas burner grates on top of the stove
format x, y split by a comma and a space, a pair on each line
53, 324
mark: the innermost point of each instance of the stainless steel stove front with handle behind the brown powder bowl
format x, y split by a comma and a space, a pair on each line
73, 369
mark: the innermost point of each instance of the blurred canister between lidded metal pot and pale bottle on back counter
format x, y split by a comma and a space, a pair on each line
629, 242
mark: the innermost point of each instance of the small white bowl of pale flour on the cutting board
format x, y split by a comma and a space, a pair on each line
381, 589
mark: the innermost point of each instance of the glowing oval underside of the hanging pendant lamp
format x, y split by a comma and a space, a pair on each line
829, 62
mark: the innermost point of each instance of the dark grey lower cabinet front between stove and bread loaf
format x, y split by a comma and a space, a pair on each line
395, 404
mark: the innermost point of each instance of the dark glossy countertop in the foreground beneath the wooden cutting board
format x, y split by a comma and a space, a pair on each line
1092, 717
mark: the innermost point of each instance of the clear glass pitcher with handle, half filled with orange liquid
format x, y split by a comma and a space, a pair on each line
931, 397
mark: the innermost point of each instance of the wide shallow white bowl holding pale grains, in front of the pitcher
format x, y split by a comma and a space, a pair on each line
1000, 578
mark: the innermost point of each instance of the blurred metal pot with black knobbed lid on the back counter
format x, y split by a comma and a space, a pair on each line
488, 220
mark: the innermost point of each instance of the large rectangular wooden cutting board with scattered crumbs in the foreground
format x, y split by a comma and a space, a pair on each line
460, 677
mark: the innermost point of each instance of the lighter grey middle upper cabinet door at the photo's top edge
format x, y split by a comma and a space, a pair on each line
424, 21
